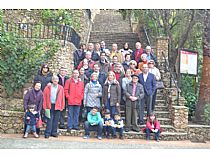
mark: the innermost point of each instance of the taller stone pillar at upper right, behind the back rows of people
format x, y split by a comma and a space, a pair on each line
161, 46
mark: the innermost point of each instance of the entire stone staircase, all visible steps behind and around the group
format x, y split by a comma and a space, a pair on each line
110, 27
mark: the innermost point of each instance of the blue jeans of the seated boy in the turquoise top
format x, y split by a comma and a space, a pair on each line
89, 127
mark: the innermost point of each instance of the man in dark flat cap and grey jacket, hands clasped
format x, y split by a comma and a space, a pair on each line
134, 93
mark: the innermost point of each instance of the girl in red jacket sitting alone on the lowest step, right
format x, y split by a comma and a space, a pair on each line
153, 126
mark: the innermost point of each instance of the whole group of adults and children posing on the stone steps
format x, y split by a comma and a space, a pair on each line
101, 83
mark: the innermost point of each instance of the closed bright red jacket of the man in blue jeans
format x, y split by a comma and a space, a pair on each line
74, 92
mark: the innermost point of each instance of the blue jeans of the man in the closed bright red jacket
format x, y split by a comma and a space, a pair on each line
73, 116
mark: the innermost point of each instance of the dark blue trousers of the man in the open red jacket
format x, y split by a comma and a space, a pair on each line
52, 122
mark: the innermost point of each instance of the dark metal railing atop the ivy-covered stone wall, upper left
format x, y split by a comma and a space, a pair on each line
44, 31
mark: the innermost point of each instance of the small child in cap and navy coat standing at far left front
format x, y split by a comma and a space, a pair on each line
31, 118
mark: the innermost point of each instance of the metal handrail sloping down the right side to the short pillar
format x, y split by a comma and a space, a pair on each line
172, 77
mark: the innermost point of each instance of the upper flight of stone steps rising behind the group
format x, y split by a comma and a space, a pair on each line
110, 27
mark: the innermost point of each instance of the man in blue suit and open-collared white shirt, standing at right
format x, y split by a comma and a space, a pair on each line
148, 81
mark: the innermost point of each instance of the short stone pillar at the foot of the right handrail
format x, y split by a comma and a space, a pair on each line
179, 117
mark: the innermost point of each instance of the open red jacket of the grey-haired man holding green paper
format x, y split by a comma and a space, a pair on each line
60, 100
